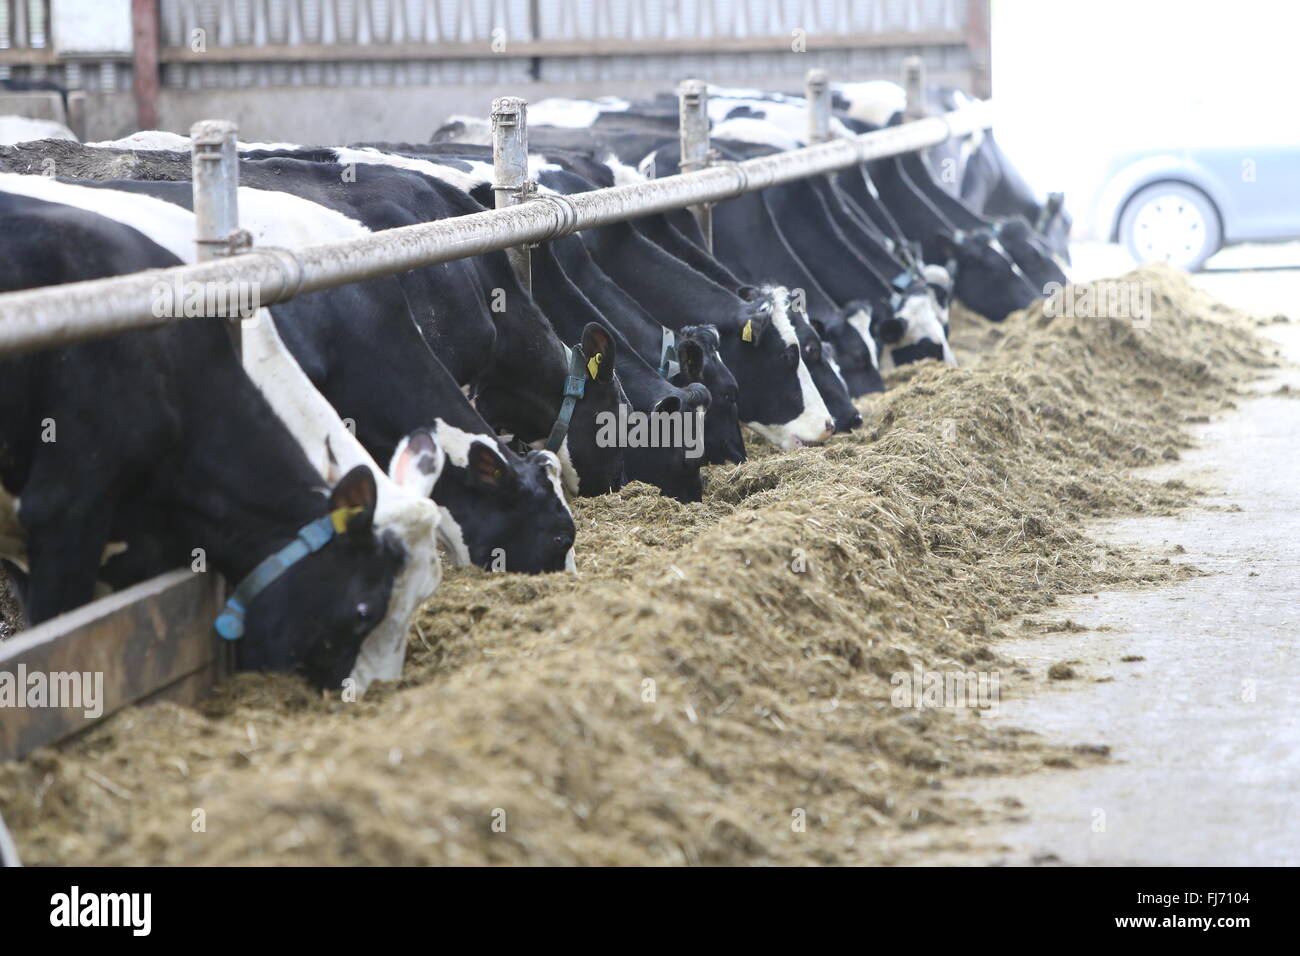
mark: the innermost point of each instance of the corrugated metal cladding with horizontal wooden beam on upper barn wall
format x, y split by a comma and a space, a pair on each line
211, 45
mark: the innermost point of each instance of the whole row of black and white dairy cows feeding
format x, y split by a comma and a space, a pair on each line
447, 406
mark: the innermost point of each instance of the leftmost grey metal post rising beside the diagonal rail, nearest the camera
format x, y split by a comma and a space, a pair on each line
216, 198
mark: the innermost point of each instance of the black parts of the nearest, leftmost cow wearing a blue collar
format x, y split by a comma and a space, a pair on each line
188, 455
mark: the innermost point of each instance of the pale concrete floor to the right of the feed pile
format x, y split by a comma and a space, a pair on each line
1204, 726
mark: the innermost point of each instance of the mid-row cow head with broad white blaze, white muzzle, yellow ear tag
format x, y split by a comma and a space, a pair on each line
778, 397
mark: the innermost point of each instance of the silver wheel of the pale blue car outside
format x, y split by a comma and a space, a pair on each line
1172, 223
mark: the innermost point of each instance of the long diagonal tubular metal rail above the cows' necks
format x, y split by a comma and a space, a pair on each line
79, 312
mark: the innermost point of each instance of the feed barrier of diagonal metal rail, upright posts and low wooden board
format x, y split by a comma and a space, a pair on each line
155, 641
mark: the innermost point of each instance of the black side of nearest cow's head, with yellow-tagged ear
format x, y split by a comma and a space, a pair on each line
314, 618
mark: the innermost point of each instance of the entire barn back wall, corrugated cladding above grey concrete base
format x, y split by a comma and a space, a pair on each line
328, 71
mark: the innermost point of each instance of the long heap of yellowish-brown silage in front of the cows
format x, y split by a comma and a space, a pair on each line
716, 687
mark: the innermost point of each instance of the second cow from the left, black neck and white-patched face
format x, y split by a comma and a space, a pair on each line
361, 348
